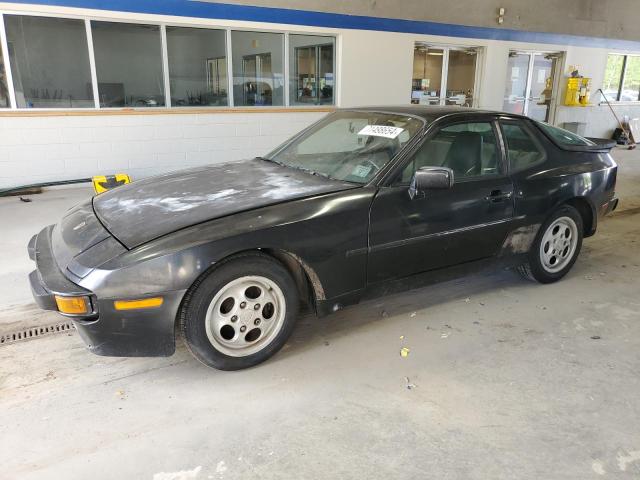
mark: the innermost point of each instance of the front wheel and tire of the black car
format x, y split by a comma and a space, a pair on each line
241, 313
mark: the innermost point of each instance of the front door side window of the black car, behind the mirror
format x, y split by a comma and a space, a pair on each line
469, 149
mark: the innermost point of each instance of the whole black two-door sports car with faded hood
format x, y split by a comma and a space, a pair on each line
364, 197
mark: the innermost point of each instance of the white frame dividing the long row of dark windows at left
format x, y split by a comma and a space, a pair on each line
168, 107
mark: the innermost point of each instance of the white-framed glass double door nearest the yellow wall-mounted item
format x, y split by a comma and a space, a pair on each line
532, 84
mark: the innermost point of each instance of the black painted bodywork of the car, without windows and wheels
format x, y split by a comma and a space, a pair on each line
175, 227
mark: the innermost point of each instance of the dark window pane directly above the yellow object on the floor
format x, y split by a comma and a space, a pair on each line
128, 64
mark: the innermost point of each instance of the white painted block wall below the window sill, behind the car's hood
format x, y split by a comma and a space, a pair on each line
49, 148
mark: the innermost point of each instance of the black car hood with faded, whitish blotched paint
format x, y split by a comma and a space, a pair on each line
147, 209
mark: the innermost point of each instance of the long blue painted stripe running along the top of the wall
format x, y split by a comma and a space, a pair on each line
224, 11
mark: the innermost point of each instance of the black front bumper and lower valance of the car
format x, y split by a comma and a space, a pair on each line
105, 330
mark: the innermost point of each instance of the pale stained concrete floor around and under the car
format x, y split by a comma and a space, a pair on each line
505, 379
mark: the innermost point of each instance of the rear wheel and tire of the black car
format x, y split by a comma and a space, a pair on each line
556, 246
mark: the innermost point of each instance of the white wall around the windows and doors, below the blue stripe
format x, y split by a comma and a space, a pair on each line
372, 68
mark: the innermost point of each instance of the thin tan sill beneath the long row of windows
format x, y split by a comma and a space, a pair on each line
91, 112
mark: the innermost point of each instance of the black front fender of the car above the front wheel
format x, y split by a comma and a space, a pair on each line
317, 231
